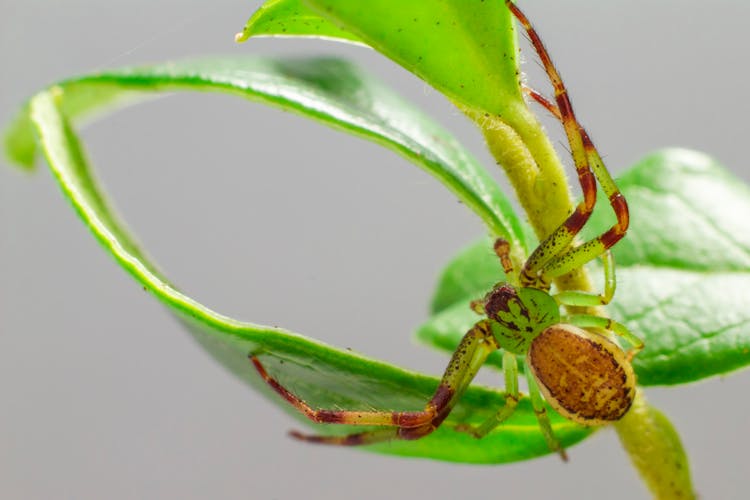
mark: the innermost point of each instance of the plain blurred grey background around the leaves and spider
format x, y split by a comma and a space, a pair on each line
290, 223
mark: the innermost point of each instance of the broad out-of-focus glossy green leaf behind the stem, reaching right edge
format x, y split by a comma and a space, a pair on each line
683, 270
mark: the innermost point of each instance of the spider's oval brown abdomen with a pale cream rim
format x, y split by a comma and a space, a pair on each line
584, 376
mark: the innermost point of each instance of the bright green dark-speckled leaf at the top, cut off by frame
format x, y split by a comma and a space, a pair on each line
466, 50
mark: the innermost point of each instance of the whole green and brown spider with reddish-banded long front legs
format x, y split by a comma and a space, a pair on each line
583, 375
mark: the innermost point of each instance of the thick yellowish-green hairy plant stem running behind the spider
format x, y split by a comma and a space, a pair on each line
520, 146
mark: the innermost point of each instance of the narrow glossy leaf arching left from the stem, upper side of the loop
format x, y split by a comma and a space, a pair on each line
325, 89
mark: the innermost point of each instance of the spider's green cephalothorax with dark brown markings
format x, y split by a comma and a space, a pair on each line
518, 316
